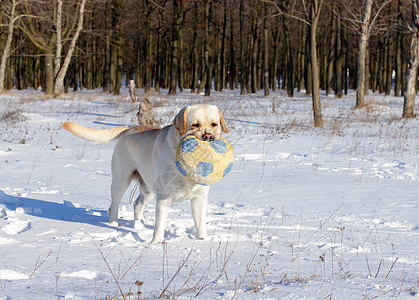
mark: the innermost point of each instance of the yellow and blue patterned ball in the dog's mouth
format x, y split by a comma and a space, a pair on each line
204, 162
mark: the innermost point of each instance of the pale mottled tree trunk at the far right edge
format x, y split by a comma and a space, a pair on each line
412, 69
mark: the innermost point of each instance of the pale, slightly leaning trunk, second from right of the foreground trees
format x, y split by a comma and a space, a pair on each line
362, 48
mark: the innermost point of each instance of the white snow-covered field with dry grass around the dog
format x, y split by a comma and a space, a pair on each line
306, 213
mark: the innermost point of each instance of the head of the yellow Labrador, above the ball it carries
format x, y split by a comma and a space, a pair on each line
204, 121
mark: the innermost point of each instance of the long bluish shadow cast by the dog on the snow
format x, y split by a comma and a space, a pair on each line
65, 212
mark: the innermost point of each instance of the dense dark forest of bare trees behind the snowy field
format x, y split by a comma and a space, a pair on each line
58, 45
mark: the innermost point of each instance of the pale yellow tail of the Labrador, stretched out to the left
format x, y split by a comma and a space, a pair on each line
94, 135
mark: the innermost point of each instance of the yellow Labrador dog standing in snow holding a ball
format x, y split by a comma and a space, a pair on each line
149, 158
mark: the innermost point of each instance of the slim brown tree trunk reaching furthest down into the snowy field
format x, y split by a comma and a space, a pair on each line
314, 18
